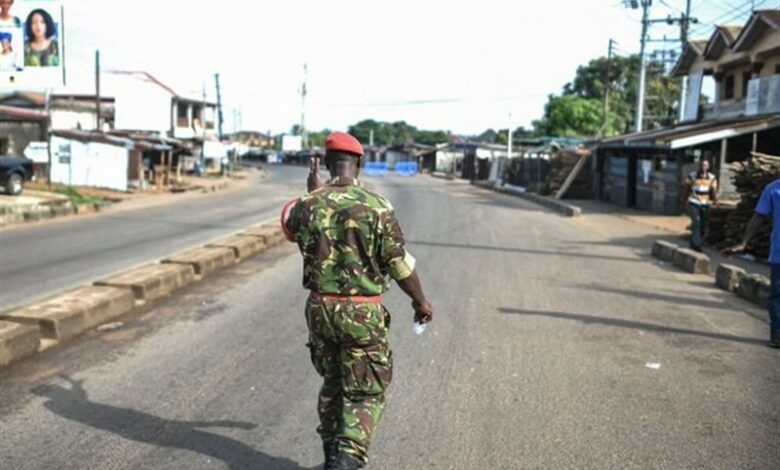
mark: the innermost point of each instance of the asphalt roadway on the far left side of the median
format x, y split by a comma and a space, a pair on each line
41, 259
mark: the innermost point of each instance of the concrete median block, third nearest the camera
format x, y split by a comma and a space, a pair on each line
152, 281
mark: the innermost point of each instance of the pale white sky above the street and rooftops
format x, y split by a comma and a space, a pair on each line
458, 66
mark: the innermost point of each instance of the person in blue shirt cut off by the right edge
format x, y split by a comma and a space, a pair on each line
768, 209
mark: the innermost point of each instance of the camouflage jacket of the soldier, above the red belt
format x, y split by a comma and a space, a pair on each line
350, 240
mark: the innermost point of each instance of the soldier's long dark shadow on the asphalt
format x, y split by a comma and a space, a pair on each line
73, 403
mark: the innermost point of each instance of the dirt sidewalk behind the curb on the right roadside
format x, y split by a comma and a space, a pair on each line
664, 227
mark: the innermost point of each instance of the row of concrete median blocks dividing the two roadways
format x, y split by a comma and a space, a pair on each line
53, 321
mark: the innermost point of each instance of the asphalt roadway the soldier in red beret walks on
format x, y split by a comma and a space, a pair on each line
557, 344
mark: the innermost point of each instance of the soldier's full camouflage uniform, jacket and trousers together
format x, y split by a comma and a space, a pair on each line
351, 243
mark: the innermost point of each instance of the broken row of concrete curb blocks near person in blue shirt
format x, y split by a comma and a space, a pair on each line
752, 287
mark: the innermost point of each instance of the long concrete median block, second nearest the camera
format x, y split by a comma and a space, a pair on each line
65, 316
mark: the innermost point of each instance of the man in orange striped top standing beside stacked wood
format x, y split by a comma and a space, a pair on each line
701, 192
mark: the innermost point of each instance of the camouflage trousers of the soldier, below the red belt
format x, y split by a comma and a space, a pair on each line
348, 345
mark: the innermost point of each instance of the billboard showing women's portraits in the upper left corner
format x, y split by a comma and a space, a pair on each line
32, 40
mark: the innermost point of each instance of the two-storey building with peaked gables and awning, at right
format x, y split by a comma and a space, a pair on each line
647, 170
